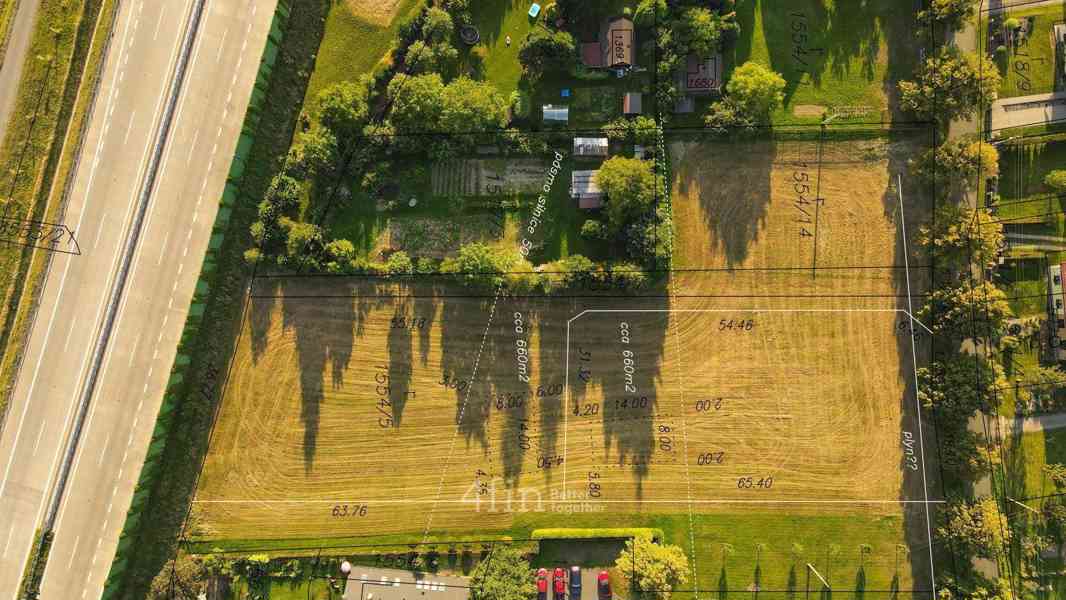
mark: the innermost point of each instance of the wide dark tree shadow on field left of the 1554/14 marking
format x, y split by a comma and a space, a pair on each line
733, 184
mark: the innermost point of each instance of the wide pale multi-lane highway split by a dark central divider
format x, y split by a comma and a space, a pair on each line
197, 159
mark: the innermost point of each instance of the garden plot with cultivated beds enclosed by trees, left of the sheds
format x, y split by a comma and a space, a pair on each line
469, 200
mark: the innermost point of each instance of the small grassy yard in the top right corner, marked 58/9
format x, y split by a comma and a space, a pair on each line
1031, 64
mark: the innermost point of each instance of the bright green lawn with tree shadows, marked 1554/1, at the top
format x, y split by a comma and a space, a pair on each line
836, 56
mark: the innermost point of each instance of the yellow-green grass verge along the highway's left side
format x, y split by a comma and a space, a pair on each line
41, 153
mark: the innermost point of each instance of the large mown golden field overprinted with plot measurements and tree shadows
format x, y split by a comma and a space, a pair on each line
815, 395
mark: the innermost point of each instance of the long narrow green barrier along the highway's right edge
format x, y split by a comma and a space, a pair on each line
151, 471
